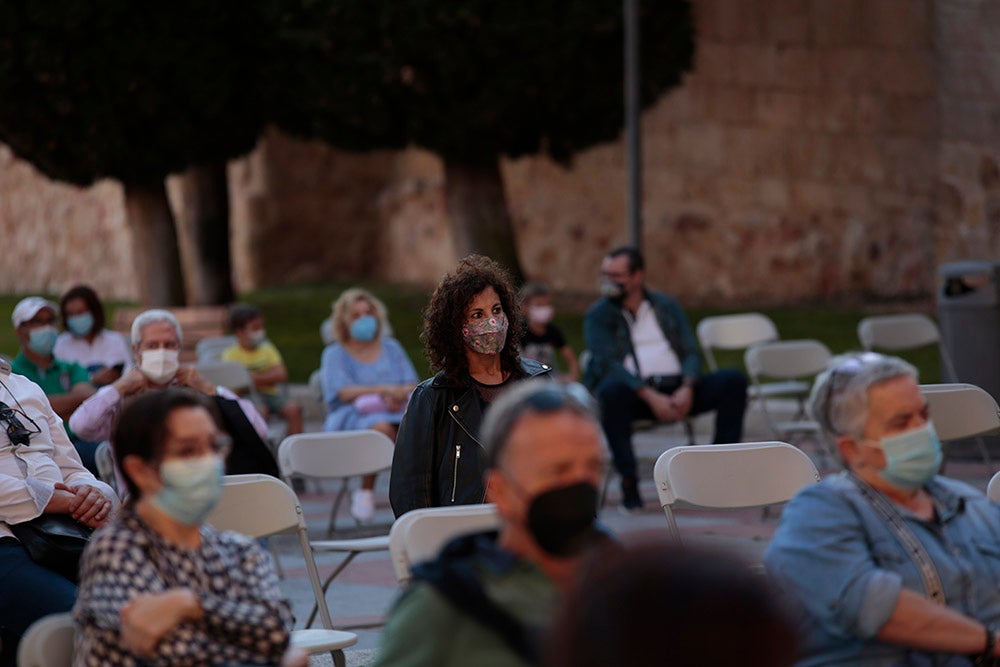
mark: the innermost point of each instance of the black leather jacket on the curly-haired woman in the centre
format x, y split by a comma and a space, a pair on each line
439, 459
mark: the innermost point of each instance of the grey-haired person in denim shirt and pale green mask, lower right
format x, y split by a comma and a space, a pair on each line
888, 563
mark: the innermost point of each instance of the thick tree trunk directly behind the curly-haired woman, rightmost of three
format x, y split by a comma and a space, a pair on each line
480, 221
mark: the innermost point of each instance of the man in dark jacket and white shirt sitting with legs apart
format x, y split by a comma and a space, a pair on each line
645, 364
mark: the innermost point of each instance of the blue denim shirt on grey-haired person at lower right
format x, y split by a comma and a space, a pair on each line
842, 567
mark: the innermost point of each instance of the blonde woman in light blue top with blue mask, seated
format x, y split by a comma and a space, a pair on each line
367, 378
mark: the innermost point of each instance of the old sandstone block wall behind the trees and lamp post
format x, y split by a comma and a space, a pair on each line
818, 148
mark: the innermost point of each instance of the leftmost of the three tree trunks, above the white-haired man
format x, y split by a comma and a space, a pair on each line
154, 245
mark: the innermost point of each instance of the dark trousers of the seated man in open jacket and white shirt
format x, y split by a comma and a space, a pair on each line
724, 391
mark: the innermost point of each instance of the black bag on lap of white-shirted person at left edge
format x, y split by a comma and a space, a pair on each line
54, 541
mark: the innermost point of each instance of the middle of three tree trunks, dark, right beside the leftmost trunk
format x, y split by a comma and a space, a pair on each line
201, 198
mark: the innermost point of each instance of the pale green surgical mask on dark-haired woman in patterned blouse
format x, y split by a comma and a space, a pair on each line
191, 488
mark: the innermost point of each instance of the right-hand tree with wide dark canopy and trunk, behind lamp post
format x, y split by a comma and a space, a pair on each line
473, 81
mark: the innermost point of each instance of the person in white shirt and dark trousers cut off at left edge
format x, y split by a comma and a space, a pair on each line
40, 473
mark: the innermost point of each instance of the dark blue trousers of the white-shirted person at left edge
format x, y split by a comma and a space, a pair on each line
28, 592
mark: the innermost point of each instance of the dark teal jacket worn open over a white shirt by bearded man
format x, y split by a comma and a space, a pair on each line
609, 339
